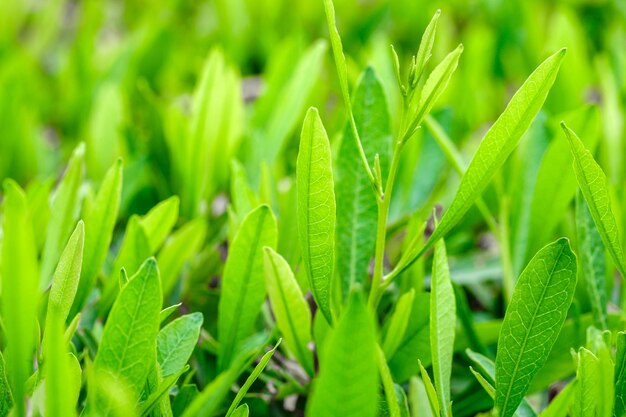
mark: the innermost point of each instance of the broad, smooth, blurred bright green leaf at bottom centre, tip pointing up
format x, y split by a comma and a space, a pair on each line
347, 384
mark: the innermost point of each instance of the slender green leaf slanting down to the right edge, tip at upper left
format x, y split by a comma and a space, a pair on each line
594, 187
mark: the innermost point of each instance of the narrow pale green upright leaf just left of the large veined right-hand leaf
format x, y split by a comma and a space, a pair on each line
442, 325
